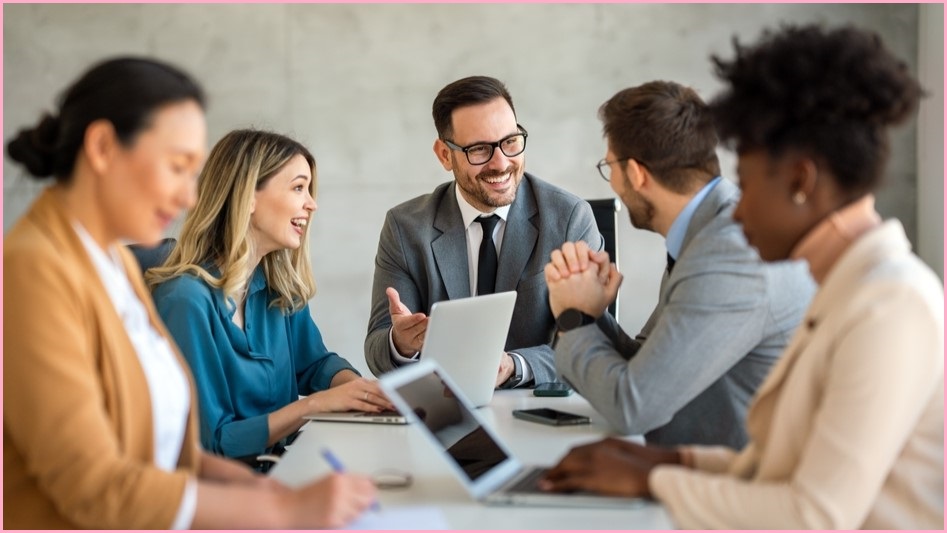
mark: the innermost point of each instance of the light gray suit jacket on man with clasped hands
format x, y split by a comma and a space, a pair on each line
722, 319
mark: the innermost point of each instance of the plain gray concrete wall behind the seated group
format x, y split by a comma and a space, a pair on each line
355, 83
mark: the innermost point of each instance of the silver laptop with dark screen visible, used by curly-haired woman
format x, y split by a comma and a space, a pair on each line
478, 458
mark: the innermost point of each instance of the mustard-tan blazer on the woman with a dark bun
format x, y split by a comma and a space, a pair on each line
78, 445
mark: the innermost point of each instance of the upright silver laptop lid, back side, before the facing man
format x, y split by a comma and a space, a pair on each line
466, 337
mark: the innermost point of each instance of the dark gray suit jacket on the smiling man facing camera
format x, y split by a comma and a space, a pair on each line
422, 252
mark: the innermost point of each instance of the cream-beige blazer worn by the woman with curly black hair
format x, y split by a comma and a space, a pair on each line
847, 431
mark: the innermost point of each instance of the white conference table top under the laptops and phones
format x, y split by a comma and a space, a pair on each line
367, 448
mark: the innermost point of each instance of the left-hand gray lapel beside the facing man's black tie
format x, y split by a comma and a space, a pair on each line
450, 247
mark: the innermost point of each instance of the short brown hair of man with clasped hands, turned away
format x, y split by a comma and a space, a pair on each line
665, 127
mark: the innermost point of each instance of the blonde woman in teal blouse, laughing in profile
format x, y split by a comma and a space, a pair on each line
234, 294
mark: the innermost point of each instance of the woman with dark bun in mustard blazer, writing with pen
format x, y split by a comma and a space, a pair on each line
99, 421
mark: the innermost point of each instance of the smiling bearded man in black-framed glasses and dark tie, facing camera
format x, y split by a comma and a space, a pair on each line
489, 230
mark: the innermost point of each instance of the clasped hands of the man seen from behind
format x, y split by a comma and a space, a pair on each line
580, 278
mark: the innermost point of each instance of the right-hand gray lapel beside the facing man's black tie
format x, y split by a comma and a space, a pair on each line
519, 238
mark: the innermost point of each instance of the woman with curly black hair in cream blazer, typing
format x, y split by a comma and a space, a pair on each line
847, 430
